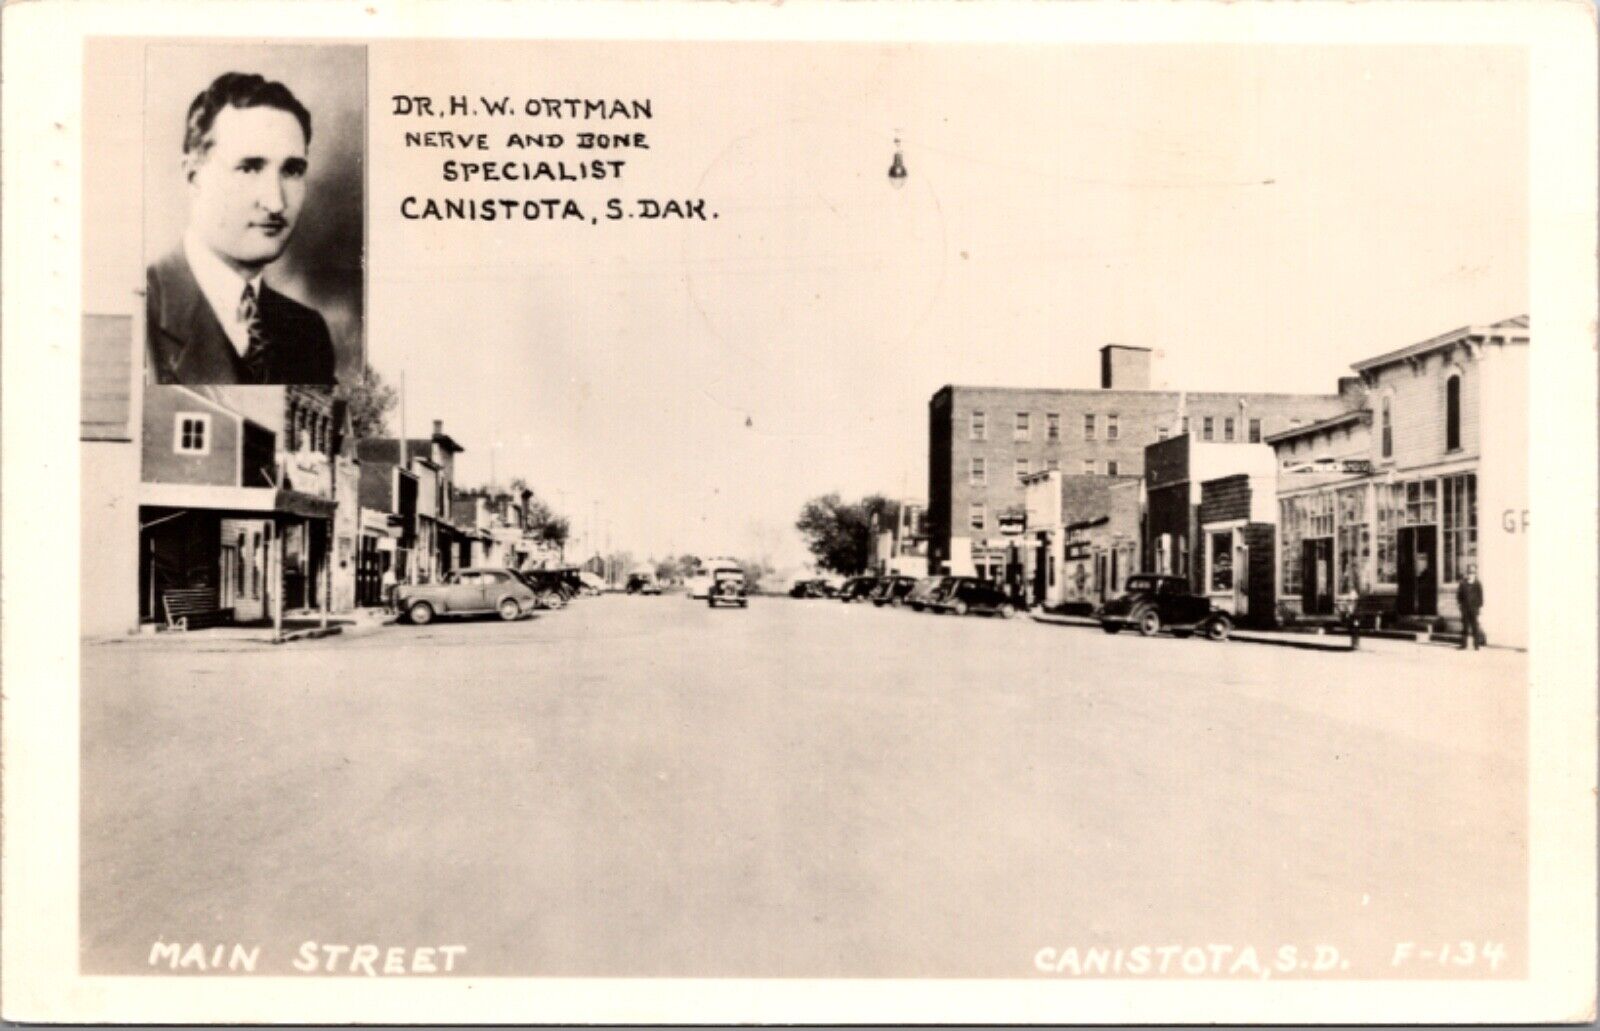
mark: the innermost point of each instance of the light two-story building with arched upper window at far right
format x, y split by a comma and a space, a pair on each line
1385, 507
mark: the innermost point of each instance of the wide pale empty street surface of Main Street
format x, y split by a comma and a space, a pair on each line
642, 787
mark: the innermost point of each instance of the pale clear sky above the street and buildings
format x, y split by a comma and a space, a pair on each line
1260, 217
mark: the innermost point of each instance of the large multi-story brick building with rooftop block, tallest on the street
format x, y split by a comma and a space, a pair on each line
983, 443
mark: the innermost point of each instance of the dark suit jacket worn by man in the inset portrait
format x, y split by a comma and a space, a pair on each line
188, 345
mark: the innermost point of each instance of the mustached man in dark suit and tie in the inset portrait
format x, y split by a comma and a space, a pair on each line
210, 316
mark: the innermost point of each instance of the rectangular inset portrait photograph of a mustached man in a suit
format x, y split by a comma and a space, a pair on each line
254, 227
